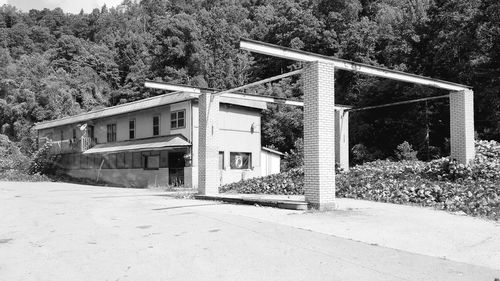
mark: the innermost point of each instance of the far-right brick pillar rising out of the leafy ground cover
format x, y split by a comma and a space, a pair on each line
462, 126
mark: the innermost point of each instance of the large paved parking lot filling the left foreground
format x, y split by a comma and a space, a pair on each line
60, 231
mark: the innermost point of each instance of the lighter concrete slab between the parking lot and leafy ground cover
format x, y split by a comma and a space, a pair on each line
419, 230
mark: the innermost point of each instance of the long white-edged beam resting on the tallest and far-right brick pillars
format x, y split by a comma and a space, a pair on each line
298, 55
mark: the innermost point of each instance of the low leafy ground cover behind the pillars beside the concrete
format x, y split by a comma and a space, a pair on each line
443, 184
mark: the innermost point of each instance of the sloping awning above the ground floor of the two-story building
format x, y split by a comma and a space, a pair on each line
156, 143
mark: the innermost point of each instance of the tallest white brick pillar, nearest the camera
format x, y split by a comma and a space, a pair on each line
319, 142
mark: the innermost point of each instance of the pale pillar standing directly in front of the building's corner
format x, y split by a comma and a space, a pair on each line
208, 150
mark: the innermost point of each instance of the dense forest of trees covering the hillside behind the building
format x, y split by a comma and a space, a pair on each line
55, 64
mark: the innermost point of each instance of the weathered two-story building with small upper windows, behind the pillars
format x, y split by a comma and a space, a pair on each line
154, 142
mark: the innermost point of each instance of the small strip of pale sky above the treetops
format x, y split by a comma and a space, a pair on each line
69, 6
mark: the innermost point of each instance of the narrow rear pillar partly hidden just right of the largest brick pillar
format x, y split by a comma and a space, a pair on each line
342, 138
